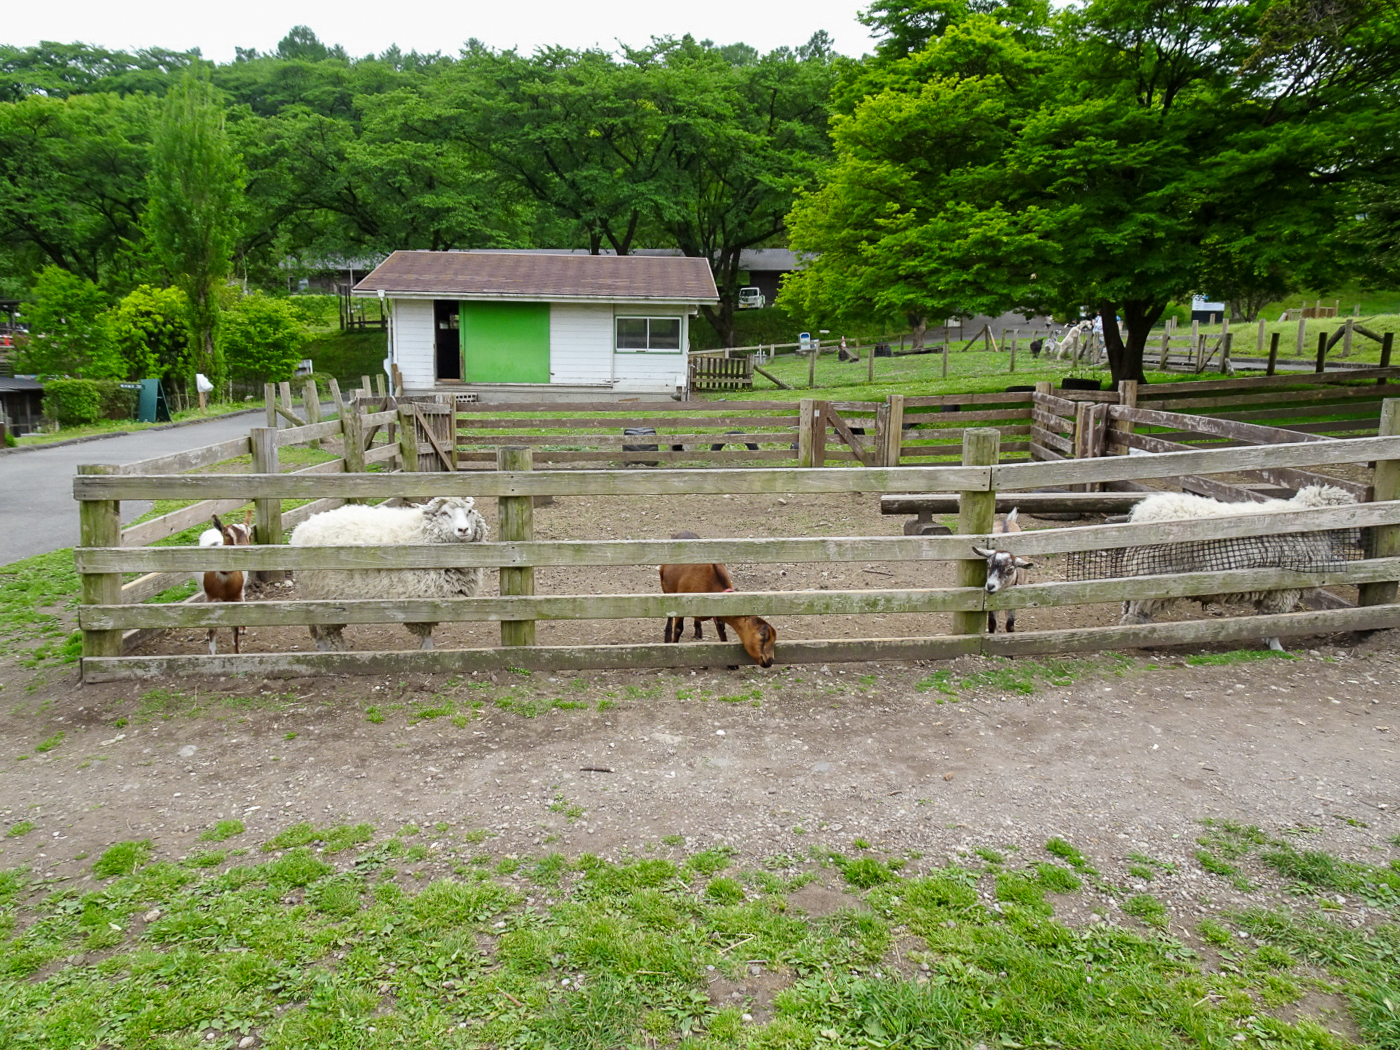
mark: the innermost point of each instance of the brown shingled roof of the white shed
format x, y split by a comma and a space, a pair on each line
538, 276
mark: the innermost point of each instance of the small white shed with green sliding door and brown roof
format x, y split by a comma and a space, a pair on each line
517, 325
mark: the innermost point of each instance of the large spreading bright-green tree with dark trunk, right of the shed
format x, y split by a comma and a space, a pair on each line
1121, 160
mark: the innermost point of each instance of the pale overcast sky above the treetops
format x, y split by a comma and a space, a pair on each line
216, 29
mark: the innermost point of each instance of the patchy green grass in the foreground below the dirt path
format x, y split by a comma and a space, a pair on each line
304, 950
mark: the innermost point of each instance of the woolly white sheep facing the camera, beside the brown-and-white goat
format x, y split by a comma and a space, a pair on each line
443, 520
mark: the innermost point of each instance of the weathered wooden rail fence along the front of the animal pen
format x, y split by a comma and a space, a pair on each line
101, 561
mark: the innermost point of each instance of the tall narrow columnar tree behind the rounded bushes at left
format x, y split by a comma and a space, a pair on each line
197, 184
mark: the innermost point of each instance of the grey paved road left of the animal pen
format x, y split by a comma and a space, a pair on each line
38, 513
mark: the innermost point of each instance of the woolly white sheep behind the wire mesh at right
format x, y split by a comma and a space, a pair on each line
1298, 551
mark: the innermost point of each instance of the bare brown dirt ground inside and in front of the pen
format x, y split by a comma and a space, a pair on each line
1125, 759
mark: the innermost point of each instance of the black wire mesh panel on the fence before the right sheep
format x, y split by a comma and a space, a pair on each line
1303, 552
